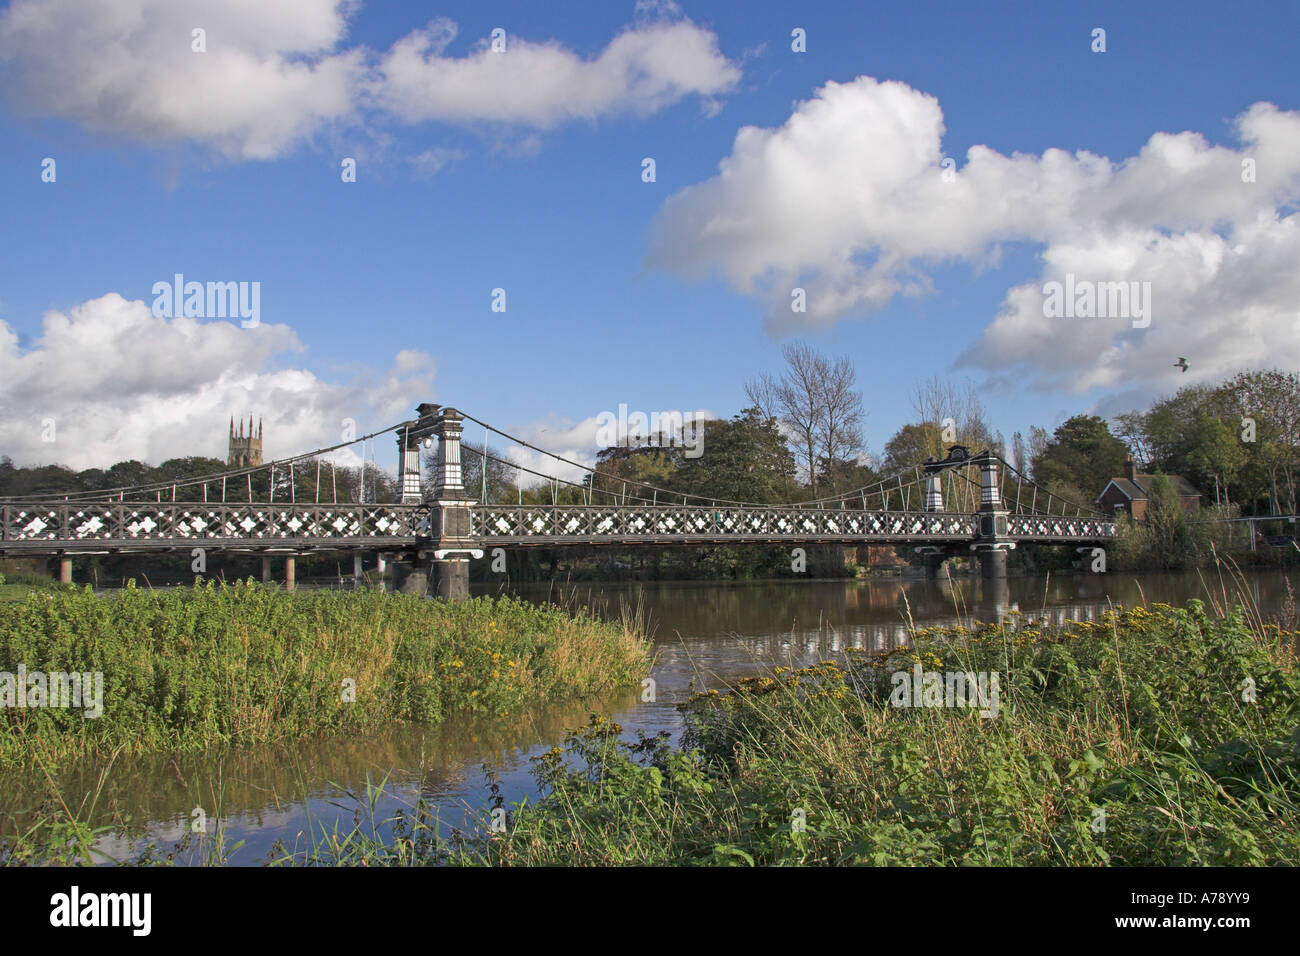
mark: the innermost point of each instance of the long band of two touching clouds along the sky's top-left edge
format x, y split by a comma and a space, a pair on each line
275, 75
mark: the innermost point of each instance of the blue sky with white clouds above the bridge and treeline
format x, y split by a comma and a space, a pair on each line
612, 297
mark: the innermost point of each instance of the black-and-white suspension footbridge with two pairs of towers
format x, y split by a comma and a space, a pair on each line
960, 505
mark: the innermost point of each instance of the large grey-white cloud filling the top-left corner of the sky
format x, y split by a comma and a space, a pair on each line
271, 77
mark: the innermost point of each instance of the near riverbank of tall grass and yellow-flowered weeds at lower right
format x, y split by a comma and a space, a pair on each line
1154, 737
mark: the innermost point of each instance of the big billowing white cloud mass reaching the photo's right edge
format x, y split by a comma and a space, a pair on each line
850, 201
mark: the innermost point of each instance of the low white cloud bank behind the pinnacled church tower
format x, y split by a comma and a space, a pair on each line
120, 383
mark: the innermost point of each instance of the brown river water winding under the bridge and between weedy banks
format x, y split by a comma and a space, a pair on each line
705, 635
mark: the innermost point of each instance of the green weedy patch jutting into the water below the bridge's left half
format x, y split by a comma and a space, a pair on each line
242, 664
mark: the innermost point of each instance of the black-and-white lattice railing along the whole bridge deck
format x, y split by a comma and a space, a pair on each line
46, 527
